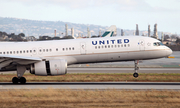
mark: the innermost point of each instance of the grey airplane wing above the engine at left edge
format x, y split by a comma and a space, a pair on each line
8, 61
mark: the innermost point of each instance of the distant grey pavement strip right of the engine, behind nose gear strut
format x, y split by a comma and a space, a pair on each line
123, 70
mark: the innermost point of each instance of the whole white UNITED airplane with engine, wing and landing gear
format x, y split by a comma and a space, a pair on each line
49, 58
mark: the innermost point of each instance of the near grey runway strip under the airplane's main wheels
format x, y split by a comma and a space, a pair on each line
95, 85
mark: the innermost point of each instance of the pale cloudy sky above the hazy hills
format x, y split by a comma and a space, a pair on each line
124, 14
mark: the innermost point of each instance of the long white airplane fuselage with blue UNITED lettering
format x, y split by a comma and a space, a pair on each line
89, 50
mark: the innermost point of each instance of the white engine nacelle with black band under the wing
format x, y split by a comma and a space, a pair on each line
51, 67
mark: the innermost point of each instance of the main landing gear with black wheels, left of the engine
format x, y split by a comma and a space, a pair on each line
20, 73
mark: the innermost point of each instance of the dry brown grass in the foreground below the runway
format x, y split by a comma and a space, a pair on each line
89, 98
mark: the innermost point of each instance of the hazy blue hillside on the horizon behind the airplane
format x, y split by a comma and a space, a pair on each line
46, 28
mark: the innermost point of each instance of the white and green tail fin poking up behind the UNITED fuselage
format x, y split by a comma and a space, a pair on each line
110, 31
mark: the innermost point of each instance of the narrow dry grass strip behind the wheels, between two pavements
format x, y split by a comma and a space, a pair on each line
97, 77
